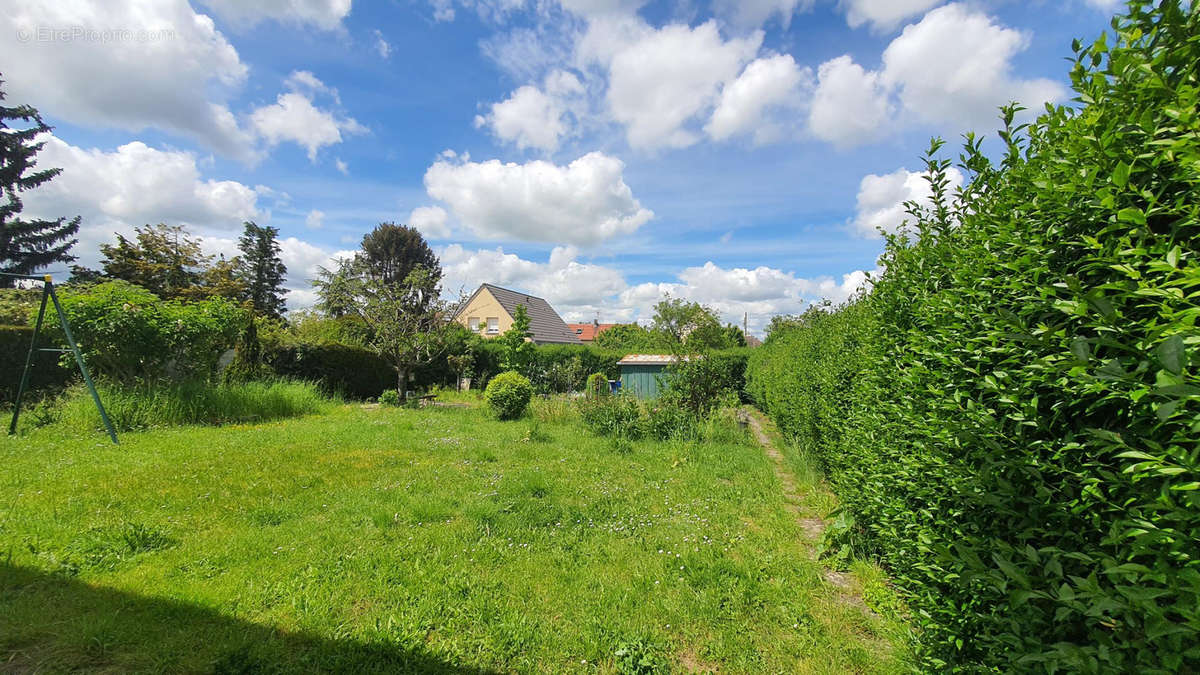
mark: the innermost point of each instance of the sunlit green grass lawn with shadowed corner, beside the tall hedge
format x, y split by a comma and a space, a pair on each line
435, 540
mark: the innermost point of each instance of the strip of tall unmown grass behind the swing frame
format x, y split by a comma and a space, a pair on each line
187, 403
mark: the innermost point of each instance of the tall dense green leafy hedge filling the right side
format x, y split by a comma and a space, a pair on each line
1011, 416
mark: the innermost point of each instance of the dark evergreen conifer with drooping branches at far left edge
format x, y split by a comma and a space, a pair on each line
27, 246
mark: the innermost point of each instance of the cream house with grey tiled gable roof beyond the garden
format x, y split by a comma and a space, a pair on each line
490, 312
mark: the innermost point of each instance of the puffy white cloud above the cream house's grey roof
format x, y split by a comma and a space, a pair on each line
585, 202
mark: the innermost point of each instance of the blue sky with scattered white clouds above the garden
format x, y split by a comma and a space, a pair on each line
598, 153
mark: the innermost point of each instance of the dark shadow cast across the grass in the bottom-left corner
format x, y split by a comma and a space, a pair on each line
57, 624
